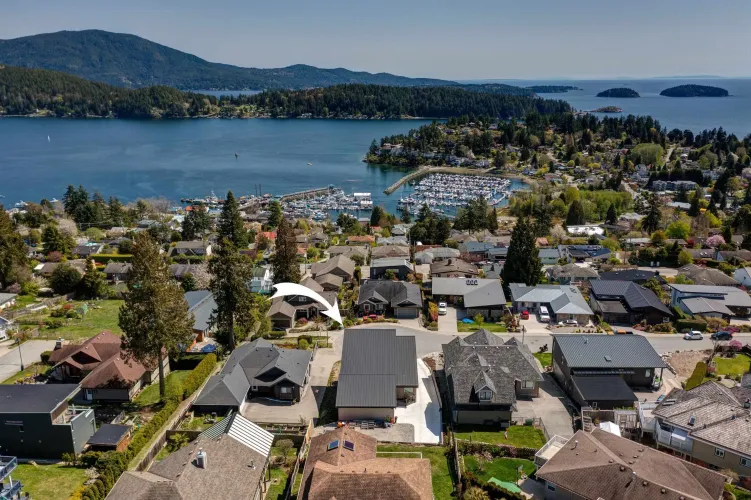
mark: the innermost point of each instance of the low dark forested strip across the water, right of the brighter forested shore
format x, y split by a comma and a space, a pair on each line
381, 101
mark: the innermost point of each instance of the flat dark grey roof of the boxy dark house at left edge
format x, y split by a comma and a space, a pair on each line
34, 398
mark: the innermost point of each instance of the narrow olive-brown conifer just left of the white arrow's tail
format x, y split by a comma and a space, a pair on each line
231, 274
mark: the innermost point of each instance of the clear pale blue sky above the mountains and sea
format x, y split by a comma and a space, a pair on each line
479, 39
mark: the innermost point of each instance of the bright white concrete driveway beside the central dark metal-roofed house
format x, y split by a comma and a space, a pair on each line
424, 414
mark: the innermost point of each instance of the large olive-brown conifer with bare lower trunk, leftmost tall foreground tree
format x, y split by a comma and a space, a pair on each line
154, 318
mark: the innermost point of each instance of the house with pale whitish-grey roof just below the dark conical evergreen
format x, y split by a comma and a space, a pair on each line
562, 301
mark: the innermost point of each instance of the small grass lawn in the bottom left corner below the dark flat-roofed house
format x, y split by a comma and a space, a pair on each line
49, 482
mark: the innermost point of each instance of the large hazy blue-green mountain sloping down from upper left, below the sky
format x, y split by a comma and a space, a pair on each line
130, 61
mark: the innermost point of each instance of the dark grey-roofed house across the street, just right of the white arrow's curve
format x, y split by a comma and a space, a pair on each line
403, 300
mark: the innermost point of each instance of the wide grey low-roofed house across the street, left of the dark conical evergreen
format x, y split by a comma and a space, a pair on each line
476, 295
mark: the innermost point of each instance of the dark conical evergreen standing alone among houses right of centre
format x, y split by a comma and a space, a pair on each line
523, 264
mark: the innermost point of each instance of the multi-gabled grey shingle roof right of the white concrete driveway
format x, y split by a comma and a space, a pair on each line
484, 359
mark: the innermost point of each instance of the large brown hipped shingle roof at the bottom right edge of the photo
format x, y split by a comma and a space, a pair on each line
602, 465
